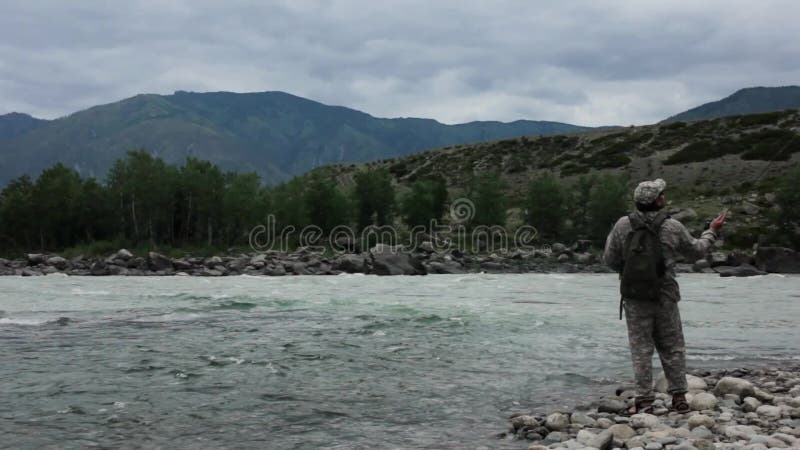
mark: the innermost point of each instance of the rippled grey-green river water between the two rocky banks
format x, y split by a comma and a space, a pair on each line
339, 362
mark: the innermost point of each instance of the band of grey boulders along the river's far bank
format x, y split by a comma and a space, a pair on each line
384, 260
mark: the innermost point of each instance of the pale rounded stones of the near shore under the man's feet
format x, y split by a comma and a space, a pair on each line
748, 409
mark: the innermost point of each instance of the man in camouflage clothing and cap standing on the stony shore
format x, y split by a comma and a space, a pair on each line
657, 324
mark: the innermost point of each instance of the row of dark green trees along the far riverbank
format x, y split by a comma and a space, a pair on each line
145, 202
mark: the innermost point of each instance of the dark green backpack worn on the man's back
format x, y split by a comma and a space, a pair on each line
643, 261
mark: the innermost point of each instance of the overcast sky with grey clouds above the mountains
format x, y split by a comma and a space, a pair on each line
583, 62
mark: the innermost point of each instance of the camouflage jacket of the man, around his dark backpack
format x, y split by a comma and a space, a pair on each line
675, 242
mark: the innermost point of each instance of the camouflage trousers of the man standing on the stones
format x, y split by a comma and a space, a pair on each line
656, 325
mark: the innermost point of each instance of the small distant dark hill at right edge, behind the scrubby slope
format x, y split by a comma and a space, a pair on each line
745, 101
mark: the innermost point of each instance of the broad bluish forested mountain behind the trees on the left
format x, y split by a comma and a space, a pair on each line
274, 134
